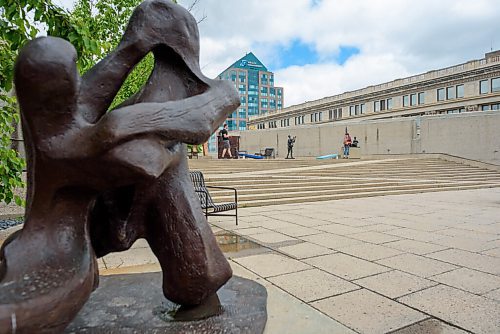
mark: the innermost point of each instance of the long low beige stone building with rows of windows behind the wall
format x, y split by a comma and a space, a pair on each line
469, 87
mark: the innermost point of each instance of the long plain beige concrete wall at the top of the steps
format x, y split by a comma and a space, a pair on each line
469, 135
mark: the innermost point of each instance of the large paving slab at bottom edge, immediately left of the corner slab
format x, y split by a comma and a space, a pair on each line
367, 312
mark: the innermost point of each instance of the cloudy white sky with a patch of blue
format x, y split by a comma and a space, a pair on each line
320, 48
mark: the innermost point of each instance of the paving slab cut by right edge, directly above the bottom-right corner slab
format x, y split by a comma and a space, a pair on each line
469, 280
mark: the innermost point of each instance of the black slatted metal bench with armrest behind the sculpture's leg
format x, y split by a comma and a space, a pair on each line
207, 203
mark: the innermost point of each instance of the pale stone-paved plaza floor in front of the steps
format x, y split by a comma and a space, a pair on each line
419, 263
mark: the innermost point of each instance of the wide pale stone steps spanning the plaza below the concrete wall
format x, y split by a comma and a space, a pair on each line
268, 182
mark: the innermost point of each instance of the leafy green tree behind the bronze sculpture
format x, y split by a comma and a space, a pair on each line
94, 27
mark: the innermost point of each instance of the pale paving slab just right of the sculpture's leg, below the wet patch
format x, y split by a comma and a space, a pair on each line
267, 265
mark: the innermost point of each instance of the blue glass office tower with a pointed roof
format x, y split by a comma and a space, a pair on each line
255, 85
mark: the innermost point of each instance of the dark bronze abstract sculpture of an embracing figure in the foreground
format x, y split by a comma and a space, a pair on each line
98, 180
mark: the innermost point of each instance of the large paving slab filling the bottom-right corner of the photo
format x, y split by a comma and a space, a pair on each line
471, 312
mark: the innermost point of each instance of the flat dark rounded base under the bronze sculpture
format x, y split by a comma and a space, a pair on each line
134, 303
